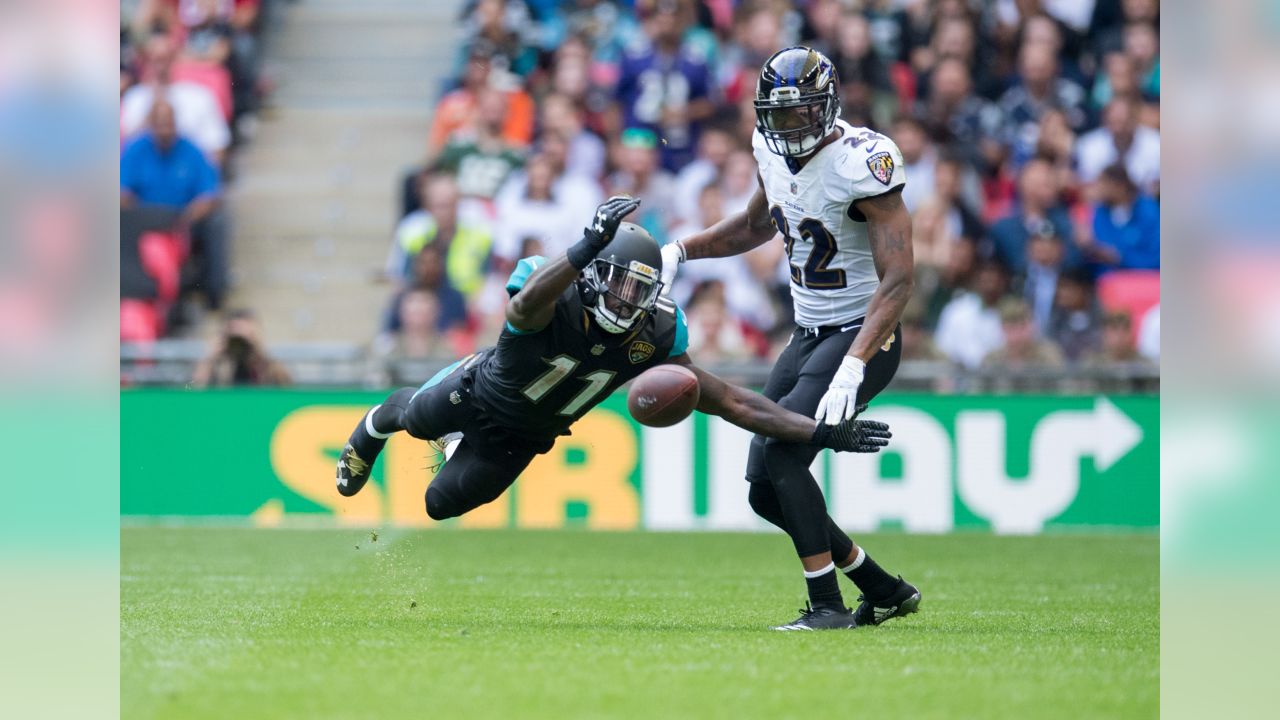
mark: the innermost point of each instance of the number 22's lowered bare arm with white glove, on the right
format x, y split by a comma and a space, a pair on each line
889, 229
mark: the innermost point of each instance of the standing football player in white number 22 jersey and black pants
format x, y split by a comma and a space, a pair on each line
834, 193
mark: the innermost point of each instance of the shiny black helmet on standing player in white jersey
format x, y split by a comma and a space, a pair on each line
797, 101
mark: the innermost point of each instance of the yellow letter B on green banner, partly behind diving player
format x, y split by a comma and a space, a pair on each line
601, 482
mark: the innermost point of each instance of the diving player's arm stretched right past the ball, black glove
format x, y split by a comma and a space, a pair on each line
753, 412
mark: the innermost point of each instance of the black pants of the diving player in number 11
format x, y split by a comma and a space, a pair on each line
481, 470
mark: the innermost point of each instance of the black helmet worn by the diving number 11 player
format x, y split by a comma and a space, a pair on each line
621, 285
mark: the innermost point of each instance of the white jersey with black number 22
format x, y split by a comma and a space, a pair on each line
833, 274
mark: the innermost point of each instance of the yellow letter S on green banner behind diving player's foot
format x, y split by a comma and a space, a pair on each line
300, 462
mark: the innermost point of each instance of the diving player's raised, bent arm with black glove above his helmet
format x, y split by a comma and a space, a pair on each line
533, 308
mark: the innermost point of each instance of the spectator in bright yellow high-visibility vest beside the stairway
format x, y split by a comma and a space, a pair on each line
465, 241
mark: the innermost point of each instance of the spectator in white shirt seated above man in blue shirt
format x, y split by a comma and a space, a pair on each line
196, 112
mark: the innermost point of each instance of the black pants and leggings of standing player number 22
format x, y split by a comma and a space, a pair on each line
784, 491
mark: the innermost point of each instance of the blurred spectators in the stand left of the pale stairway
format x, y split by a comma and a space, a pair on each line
190, 86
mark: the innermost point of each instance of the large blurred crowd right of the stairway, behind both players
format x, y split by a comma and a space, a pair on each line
1031, 133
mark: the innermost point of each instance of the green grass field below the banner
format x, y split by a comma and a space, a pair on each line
442, 625
